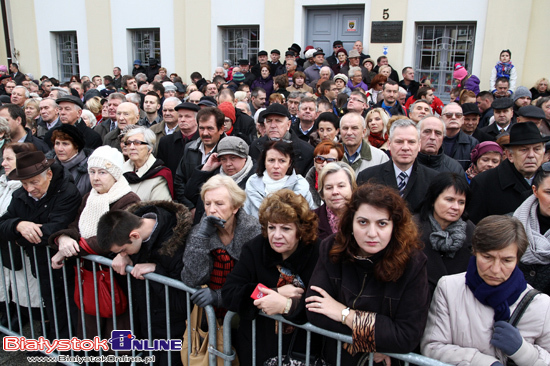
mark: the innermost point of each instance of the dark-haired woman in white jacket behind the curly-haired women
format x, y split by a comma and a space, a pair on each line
275, 172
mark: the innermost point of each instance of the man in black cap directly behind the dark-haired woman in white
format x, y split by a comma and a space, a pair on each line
277, 124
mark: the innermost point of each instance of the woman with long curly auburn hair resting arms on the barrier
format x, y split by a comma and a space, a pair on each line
371, 279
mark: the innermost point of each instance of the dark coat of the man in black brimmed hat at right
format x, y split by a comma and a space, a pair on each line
497, 191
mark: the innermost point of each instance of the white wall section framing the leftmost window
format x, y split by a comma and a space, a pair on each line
60, 16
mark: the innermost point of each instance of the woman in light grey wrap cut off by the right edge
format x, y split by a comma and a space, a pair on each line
534, 214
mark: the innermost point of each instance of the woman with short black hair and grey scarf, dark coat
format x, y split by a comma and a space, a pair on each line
445, 230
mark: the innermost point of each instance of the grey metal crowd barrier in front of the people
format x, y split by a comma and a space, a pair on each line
228, 355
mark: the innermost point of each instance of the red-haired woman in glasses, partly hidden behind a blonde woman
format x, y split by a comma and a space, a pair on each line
324, 153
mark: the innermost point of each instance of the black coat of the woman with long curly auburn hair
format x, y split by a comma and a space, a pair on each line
401, 307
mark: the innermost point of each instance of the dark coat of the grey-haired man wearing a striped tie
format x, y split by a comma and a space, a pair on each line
416, 188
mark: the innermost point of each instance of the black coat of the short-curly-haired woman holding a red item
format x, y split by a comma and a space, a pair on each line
258, 264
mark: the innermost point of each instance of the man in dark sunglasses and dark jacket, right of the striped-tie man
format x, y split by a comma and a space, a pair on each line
456, 143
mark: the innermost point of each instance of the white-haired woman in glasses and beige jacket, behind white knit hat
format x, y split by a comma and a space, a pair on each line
147, 175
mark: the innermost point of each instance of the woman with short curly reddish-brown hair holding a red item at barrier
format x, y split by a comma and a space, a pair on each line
281, 259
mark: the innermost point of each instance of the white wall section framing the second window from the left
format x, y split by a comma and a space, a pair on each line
140, 14
